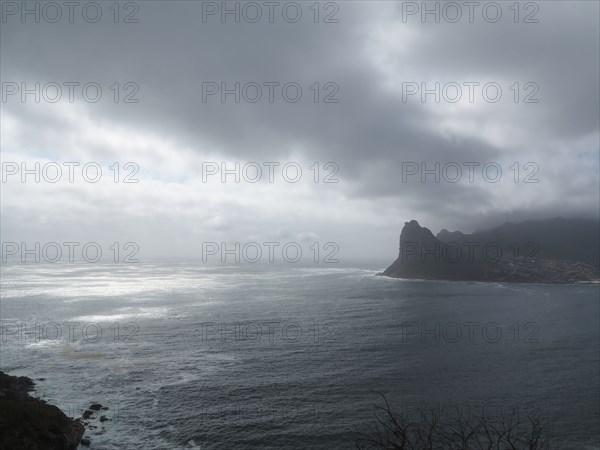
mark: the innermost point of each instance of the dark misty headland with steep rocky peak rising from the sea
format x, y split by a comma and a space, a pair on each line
555, 250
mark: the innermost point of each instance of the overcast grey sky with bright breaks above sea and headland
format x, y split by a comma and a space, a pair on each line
340, 120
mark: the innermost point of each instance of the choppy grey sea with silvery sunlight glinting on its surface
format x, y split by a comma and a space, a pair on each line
290, 357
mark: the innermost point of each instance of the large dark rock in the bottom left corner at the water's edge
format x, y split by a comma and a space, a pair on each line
29, 423
